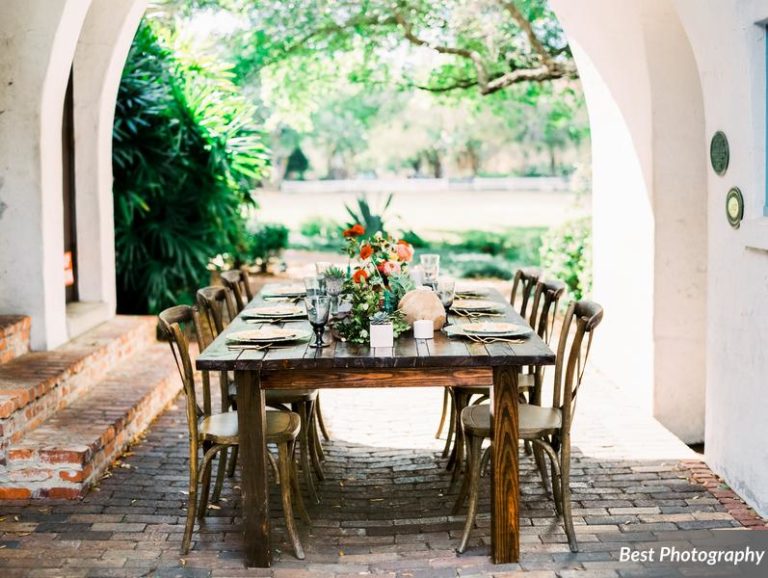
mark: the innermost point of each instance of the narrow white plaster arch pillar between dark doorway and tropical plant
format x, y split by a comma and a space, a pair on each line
99, 61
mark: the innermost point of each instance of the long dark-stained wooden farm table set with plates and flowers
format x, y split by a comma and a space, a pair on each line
411, 363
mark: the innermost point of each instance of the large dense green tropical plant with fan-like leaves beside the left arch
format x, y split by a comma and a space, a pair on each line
186, 157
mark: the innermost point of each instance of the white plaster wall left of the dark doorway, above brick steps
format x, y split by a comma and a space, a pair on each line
38, 40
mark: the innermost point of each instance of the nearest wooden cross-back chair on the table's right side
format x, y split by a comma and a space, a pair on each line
547, 428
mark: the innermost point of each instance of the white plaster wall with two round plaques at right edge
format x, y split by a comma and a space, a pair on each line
730, 51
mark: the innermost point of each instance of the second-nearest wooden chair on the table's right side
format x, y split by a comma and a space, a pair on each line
546, 297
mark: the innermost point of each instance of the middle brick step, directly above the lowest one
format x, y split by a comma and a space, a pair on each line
24, 409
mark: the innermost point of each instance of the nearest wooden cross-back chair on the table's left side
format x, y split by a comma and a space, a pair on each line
215, 432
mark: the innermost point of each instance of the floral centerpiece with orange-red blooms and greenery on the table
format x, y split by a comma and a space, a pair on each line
377, 281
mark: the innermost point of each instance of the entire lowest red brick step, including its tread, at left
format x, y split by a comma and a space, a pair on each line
71, 450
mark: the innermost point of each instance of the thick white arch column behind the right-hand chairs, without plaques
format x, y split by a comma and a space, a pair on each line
649, 201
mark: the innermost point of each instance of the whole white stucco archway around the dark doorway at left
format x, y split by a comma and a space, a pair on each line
42, 40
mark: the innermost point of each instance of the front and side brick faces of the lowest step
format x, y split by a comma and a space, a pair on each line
74, 469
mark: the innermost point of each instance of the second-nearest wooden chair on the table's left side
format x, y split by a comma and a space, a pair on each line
218, 305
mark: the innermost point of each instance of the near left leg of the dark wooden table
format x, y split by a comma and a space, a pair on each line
251, 418
